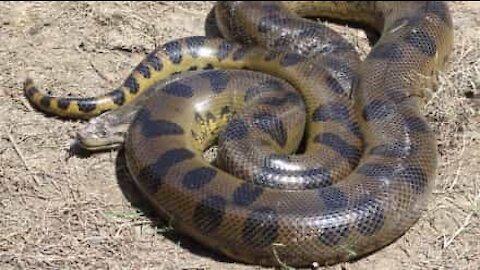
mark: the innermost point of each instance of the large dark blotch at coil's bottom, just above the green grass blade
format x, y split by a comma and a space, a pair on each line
261, 227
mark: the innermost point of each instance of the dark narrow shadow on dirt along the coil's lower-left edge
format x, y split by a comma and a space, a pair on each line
138, 201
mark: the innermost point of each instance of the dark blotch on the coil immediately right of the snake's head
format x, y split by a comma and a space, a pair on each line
154, 128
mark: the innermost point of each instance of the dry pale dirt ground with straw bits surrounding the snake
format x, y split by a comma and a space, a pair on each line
59, 211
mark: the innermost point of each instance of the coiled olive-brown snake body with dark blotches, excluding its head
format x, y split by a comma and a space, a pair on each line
370, 154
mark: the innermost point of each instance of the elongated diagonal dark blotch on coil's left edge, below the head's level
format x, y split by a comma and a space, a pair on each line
153, 174
